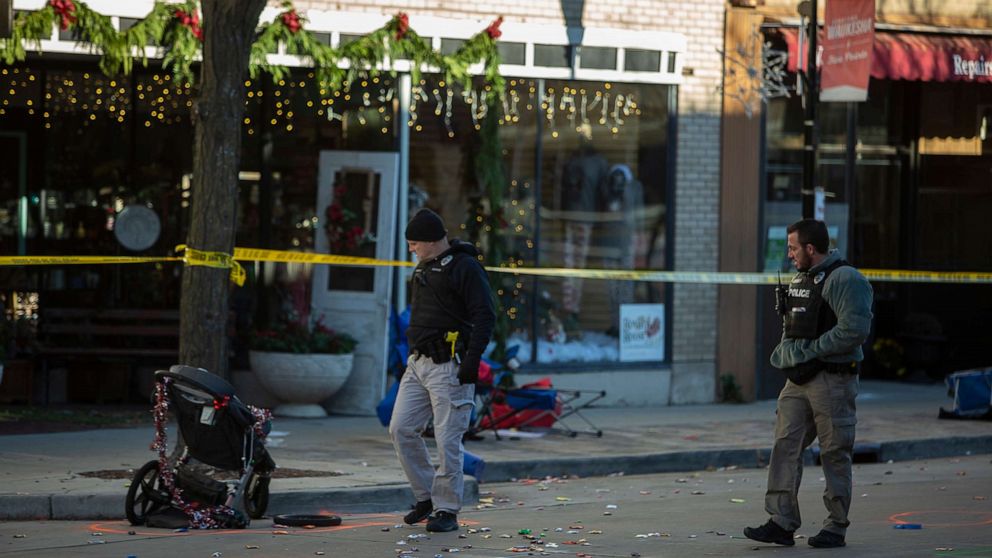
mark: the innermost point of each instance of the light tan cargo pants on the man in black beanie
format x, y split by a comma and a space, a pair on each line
428, 388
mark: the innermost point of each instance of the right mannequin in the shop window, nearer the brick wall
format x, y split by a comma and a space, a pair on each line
622, 196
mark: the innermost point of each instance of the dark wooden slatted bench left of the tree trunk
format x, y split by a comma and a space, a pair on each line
129, 336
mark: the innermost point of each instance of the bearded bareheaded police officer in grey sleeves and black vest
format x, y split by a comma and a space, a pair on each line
826, 311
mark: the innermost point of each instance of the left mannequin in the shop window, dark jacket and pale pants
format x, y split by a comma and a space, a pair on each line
582, 180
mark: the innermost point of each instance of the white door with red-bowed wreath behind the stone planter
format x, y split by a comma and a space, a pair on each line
362, 188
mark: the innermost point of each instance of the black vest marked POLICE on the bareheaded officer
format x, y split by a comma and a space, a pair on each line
808, 316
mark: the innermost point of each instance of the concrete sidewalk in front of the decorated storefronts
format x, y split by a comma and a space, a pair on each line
41, 475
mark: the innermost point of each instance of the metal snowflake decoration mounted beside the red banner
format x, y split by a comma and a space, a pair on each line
751, 85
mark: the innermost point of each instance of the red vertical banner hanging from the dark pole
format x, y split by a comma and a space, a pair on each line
847, 50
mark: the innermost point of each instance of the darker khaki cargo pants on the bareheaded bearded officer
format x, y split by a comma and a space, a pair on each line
823, 409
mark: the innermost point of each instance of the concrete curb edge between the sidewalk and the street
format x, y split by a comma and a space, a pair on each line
396, 497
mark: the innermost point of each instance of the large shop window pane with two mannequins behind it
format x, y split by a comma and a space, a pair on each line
603, 206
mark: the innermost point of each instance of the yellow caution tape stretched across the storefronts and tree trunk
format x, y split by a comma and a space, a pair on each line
192, 256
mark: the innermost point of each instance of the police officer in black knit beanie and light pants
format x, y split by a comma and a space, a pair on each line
451, 320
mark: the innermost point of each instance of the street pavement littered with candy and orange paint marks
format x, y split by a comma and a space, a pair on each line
663, 515
